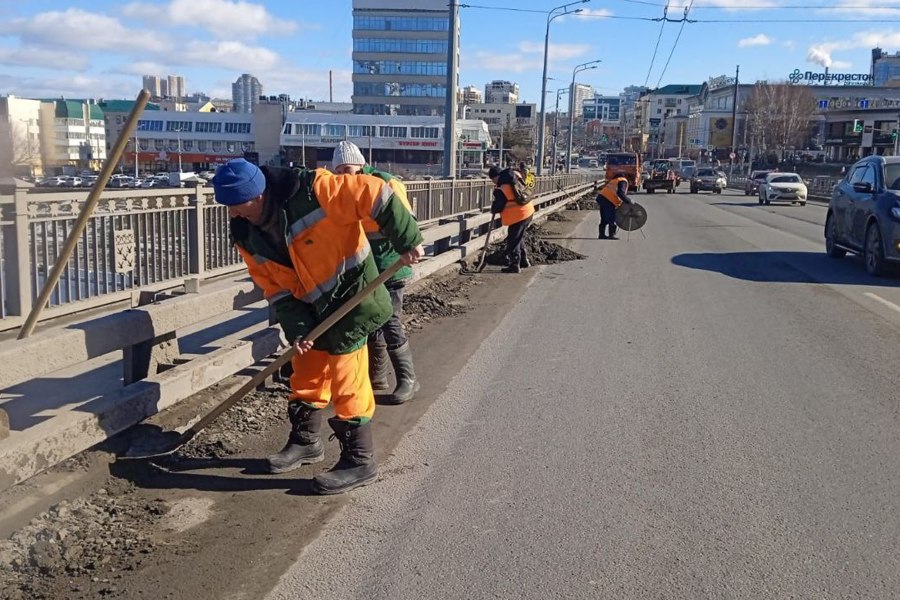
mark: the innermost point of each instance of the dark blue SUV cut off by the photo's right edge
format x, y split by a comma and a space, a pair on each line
864, 214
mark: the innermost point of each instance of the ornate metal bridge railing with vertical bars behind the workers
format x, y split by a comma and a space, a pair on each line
150, 240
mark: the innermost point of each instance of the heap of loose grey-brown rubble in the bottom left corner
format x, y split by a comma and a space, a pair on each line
93, 542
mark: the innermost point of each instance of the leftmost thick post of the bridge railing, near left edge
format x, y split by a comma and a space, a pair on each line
17, 259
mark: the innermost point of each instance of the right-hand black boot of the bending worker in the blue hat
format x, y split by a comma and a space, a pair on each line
356, 466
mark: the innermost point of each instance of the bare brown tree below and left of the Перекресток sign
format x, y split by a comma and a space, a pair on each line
779, 116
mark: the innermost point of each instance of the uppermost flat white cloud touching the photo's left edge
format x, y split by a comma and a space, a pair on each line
76, 28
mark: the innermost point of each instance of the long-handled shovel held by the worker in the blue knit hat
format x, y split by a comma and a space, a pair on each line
167, 445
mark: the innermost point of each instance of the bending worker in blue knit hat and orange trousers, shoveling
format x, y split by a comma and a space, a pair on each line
298, 231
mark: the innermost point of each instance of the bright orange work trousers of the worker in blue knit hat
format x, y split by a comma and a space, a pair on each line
320, 378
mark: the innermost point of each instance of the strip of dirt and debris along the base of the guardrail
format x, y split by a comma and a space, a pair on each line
133, 537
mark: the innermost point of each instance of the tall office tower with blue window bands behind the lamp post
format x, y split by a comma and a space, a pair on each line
400, 57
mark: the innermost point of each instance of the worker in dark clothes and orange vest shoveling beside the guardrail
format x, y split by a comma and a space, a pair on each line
515, 213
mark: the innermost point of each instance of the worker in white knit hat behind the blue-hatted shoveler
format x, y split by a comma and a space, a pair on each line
390, 343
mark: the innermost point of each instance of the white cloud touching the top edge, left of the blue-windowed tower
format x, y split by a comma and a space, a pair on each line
223, 18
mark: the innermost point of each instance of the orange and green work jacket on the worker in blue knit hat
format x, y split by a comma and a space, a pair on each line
312, 256
